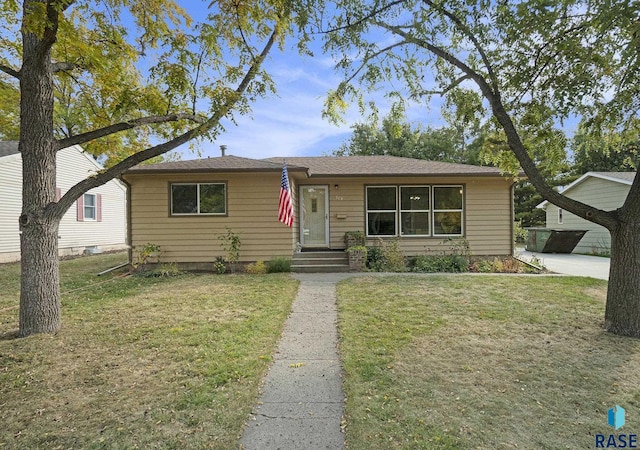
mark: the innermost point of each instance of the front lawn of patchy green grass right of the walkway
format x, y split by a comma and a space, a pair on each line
471, 362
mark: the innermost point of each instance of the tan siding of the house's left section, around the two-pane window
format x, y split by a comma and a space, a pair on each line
252, 212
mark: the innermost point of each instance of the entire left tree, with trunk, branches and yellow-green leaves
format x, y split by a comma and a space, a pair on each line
128, 79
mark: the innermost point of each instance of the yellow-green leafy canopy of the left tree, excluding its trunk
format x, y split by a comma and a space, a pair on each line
146, 64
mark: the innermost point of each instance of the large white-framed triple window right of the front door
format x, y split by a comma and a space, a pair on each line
420, 210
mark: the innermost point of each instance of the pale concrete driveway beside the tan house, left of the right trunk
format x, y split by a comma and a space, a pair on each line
571, 264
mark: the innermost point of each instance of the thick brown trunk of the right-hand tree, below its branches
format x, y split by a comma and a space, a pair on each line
622, 314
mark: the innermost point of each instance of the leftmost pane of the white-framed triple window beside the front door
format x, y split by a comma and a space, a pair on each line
382, 210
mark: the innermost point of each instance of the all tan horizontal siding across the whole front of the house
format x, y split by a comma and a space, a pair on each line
252, 213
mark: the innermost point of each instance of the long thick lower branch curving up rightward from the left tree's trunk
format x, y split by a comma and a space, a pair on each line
57, 210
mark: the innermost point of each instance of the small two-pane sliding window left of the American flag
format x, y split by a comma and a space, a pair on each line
198, 199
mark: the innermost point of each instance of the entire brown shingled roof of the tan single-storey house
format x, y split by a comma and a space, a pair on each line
322, 166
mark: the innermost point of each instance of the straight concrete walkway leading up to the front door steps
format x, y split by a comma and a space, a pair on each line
301, 405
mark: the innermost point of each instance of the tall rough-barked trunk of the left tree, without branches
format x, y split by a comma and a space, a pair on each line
40, 292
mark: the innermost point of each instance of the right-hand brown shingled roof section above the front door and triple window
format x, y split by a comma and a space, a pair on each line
342, 166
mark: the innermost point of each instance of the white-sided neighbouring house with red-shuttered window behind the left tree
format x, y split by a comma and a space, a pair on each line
96, 223
